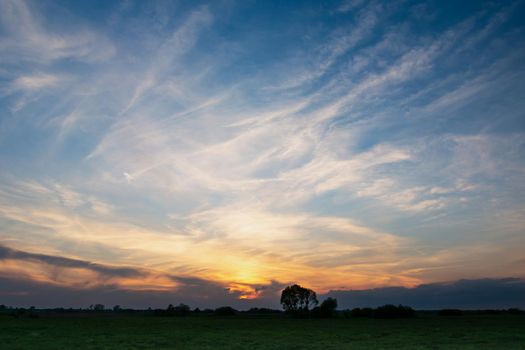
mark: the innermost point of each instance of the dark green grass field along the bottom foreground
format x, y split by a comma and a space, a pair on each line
209, 332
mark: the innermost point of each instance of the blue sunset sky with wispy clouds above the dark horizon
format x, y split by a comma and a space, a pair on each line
218, 151
